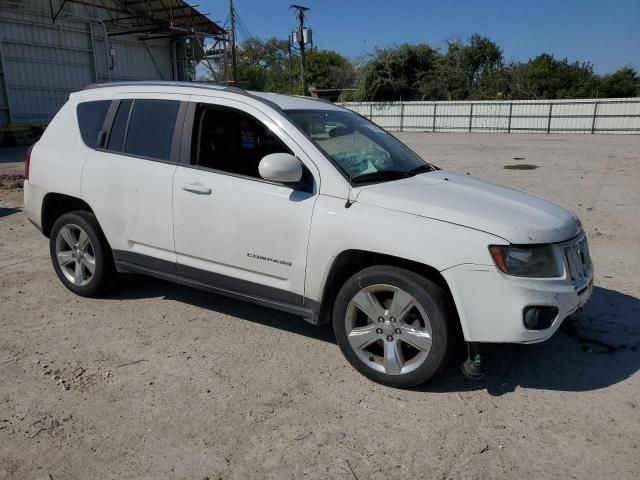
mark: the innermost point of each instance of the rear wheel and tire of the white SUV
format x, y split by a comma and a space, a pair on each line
77, 242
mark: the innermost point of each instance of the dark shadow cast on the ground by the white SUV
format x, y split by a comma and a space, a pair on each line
595, 348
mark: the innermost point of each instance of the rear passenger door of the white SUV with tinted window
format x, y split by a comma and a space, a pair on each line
128, 179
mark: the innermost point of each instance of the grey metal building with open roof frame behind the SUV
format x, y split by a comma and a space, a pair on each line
49, 48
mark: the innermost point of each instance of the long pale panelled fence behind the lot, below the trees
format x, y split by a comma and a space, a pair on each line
619, 115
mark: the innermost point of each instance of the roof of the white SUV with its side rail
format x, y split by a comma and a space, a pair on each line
284, 102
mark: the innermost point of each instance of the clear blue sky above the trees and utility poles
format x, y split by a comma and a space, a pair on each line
605, 33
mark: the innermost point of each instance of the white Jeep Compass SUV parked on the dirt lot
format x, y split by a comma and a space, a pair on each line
303, 206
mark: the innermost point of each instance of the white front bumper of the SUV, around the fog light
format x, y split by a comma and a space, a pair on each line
491, 304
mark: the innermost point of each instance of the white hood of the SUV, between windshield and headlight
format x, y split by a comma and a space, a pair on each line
516, 216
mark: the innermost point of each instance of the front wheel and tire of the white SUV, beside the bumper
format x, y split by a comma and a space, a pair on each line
407, 303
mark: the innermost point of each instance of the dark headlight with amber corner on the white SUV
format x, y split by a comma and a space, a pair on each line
525, 260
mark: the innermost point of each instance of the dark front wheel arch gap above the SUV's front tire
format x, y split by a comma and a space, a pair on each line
349, 262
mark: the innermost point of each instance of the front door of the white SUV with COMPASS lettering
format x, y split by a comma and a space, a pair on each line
233, 229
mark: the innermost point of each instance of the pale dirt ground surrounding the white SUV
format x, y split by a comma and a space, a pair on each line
159, 381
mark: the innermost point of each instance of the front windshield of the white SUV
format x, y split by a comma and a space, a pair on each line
362, 150
